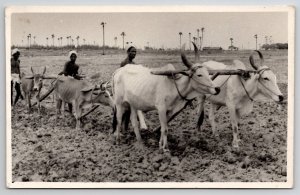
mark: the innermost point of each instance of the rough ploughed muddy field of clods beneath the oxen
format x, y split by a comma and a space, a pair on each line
49, 152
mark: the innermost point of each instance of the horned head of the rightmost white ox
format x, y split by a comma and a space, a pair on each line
267, 83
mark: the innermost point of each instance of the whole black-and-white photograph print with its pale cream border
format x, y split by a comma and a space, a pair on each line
150, 97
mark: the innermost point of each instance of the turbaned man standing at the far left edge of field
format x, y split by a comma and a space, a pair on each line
15, 75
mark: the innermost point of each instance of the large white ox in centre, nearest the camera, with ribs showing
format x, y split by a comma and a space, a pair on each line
166, 91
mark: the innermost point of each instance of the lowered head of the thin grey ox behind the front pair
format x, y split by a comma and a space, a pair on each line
98, 94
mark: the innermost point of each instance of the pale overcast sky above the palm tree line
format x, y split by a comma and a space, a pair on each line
159, 29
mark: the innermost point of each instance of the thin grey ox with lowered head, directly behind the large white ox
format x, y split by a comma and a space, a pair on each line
80, 94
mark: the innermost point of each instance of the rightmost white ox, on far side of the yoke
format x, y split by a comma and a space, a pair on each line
238, 93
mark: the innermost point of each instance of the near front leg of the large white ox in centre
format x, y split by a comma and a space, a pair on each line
164, 130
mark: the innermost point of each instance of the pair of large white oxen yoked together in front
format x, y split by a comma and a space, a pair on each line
167, 91
